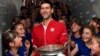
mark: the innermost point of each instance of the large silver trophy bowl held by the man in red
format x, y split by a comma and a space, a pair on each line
51, 50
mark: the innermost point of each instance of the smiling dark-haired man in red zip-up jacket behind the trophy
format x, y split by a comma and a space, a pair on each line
49, 31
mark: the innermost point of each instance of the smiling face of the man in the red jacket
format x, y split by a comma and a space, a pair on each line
46, 10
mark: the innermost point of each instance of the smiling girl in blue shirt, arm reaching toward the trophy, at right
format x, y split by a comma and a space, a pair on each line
83, 46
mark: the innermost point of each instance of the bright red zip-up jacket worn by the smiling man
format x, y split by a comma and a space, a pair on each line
56, 33
